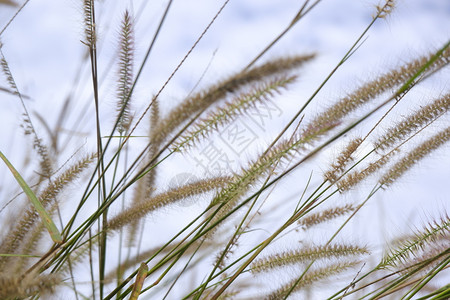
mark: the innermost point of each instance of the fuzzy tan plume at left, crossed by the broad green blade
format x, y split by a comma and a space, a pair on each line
19, 235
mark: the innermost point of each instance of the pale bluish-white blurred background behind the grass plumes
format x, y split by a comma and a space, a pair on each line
43, 47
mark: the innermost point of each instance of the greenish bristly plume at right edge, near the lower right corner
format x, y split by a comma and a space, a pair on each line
420, 241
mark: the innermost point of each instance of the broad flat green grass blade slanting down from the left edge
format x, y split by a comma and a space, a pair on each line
51, 227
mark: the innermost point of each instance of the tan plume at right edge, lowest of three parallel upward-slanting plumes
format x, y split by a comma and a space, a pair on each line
398, 169
